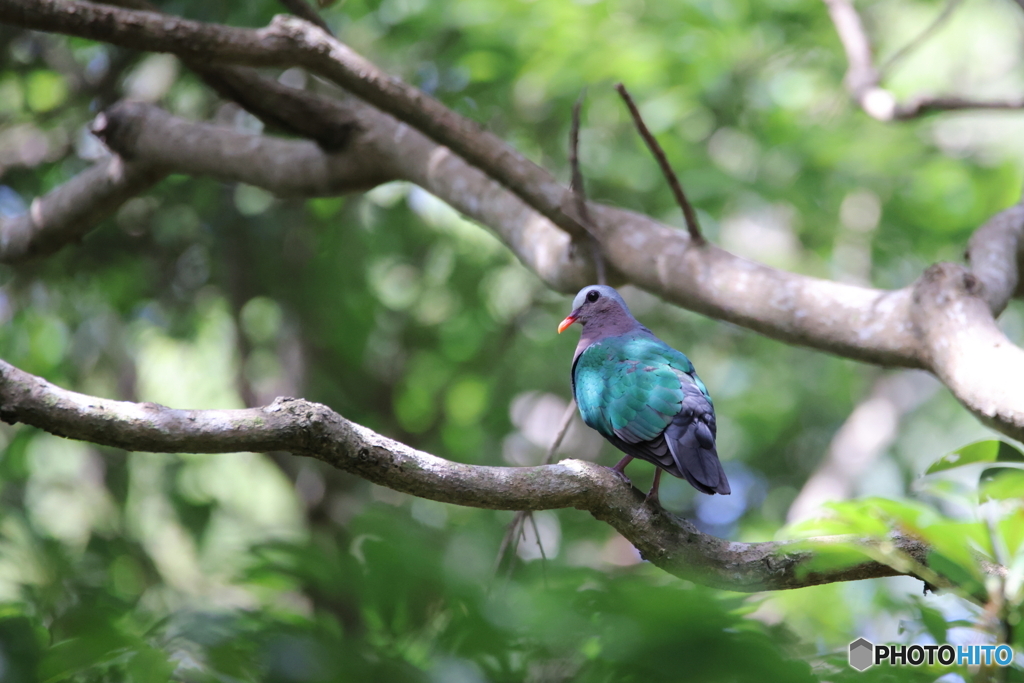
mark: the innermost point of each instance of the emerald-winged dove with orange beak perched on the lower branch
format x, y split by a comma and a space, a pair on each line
642, 395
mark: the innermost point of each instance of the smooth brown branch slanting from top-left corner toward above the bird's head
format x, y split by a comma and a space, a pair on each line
293, 42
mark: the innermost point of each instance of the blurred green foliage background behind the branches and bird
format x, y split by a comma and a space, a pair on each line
402, 316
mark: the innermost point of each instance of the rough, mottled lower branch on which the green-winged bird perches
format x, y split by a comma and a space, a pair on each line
314, 431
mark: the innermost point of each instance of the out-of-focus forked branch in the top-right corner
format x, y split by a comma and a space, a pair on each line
864, 79
